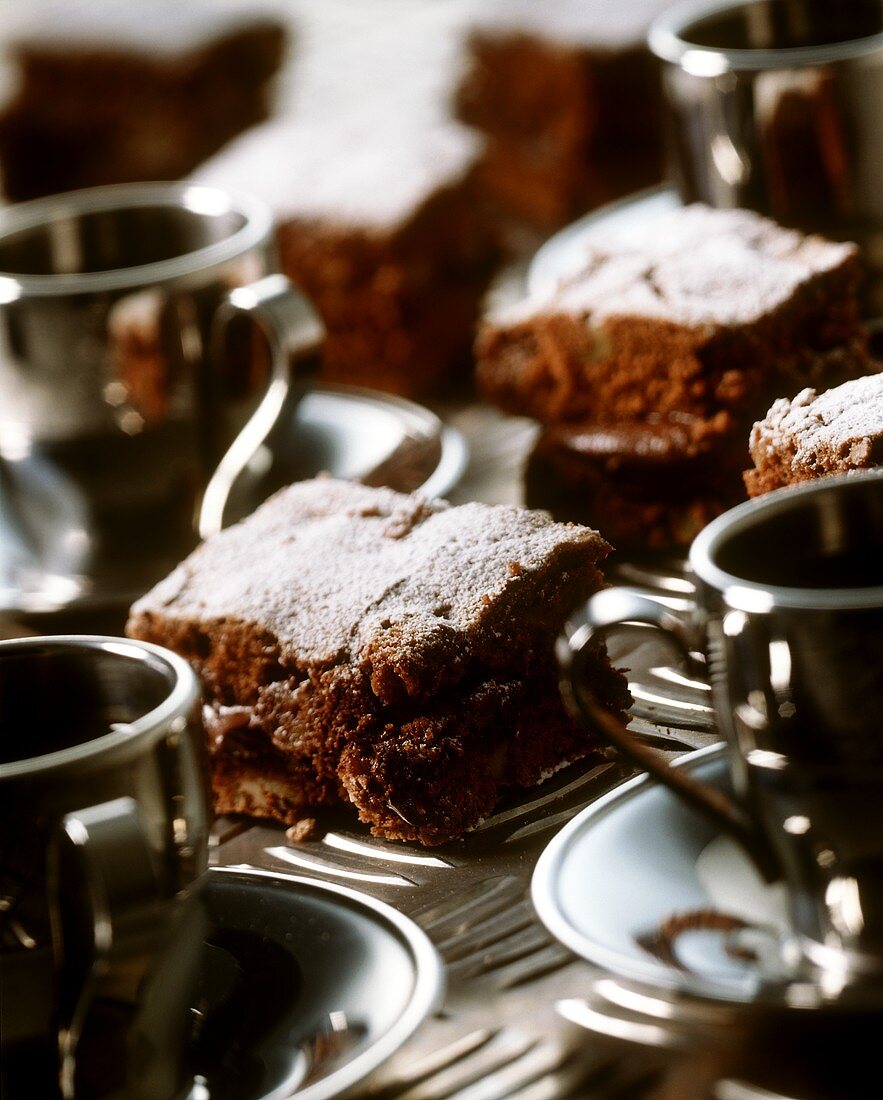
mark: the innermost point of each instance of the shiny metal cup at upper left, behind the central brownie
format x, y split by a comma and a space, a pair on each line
129, 370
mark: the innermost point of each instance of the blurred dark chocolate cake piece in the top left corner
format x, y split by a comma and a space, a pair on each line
119, 92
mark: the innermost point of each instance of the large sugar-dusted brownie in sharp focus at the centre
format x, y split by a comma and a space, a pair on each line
362, 646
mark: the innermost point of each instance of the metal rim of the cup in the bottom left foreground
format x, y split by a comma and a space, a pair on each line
149, 728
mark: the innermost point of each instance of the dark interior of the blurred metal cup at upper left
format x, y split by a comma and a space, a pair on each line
108, 240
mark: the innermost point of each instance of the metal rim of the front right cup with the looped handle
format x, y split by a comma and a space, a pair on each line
747, 596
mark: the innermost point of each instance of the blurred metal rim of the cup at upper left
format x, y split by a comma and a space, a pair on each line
198, 199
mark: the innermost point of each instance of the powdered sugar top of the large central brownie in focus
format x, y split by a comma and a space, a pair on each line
328, 567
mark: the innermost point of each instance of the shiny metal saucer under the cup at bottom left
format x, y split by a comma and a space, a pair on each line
281, 986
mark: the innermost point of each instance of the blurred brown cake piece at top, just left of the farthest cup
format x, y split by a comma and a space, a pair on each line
570, 101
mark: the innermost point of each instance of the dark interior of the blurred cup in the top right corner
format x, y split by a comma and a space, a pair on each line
787, 25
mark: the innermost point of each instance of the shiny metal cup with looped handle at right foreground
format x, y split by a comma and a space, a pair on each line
790, 620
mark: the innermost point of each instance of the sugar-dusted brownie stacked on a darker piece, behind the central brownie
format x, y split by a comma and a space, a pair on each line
711, 311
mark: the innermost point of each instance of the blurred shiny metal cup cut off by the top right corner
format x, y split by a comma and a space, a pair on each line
776, 106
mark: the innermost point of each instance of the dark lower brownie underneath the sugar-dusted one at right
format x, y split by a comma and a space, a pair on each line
649, 487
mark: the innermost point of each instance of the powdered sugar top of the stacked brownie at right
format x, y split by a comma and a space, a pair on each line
696, 267
